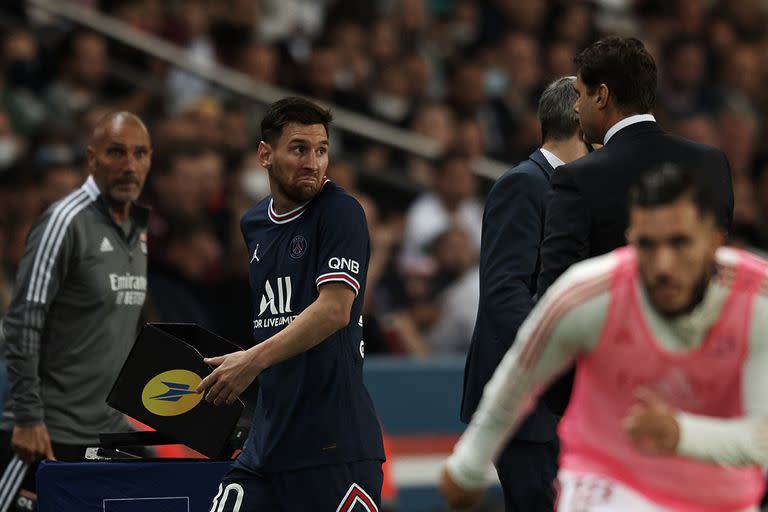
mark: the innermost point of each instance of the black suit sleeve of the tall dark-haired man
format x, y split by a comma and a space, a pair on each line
566, 230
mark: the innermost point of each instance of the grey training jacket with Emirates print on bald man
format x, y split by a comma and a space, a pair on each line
75, 311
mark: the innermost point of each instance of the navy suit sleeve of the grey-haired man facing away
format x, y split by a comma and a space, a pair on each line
512, 230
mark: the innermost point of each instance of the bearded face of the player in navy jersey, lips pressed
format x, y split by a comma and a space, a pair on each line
298, 162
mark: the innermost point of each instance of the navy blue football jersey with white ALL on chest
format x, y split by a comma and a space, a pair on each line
313, 408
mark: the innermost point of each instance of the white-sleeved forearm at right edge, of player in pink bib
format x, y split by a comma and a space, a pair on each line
739, 441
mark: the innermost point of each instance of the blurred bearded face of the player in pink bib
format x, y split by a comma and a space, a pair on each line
676, 254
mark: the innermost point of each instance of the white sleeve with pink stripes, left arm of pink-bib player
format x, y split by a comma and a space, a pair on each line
565, 323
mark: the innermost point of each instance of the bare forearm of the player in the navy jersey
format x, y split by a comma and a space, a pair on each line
316, 323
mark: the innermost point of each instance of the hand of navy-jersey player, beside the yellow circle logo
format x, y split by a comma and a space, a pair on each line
233, 373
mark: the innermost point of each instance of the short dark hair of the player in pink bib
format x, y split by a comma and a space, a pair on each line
669, 182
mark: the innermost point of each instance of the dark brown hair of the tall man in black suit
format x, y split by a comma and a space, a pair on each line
624, 65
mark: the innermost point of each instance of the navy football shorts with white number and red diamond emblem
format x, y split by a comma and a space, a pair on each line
353, 487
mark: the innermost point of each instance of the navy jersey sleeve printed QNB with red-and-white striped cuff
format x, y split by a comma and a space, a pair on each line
344, 244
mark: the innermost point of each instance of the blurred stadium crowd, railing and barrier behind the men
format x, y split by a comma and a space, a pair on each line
408, 80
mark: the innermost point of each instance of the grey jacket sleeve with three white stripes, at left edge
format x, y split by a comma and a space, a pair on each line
42, 270
